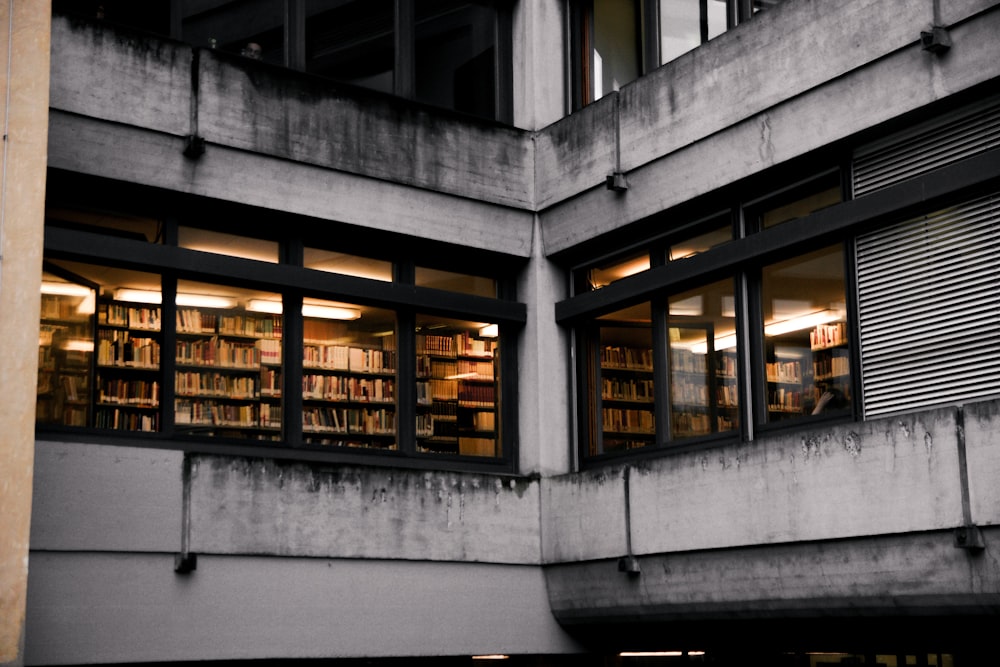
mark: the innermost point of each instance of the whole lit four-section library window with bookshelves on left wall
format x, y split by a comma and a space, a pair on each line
202, 345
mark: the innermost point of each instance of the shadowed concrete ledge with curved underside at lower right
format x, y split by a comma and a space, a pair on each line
912, 574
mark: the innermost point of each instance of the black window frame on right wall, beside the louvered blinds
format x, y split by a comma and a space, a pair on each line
743, 260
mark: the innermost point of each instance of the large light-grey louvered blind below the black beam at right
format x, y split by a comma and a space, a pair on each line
929, 306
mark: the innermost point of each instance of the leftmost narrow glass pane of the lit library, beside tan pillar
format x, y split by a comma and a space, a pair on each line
65, 351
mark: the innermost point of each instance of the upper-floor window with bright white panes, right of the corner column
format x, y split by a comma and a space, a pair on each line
614, 42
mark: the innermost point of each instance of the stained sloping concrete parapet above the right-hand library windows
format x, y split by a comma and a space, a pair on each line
721, 105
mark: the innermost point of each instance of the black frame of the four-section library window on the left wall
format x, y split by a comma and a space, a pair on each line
293, 282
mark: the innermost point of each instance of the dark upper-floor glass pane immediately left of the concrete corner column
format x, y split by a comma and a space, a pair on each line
455, 64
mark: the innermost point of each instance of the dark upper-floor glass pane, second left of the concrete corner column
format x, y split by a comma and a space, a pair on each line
352, 41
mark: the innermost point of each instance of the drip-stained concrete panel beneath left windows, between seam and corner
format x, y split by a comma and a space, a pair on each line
241, 506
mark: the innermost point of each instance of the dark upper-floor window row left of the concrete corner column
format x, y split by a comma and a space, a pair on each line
454, 54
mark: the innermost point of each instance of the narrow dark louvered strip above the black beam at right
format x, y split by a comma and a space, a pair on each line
947, 139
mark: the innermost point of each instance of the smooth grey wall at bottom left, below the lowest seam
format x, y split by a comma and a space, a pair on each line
114, 607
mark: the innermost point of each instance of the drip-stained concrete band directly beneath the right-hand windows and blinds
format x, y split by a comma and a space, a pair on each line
893, 475
